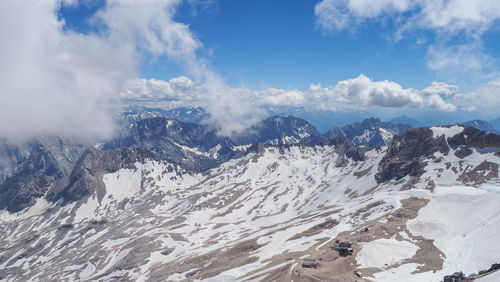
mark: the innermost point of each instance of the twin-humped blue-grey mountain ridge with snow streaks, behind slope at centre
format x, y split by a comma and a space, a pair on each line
199, 147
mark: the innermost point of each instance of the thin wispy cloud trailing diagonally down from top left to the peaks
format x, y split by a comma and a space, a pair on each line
154, 30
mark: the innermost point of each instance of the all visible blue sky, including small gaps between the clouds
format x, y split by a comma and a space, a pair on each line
278, 43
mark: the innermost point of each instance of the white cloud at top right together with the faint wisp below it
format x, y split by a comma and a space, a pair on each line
462, 19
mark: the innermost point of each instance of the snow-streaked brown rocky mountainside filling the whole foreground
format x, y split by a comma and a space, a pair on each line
423, 207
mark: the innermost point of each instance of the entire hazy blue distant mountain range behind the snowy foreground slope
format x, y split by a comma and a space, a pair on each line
43, 161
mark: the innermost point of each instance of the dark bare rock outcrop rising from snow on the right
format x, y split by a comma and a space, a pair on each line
404, 155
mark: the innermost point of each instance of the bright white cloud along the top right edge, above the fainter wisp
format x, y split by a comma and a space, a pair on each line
449, 16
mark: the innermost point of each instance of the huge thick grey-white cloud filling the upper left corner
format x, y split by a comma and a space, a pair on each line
52, 81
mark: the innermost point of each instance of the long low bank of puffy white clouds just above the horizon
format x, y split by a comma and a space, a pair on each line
357, 93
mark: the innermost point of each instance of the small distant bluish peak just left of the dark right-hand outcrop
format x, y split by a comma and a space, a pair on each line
370, 132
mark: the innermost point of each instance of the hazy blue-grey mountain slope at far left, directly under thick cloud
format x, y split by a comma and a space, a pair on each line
29, 167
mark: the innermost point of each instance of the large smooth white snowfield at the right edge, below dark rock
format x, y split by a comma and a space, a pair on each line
463, 222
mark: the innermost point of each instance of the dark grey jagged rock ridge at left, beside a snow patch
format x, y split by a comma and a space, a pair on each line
86, 176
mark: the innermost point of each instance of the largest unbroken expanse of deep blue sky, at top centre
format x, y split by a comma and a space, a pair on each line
277, 42
